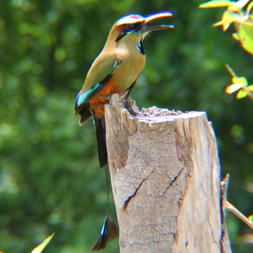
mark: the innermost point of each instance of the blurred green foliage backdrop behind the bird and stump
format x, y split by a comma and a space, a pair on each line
50, 180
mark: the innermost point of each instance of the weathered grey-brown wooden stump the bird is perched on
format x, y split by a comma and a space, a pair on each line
165, 178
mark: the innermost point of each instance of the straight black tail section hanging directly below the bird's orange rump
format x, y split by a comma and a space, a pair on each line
101, 141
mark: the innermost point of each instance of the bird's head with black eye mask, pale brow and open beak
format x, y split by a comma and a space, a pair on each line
136, 27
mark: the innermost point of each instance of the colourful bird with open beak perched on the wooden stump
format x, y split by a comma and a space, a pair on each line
115, 70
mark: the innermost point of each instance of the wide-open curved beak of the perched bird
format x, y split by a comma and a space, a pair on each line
146, 28
